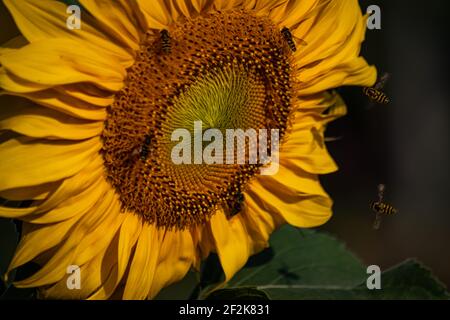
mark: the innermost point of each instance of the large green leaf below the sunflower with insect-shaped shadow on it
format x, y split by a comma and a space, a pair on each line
304, 258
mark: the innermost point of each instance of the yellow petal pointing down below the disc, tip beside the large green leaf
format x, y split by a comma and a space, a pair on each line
232, 242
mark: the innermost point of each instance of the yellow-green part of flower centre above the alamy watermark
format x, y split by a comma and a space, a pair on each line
232, 97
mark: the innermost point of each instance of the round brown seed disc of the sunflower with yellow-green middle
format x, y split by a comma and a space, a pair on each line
224, 71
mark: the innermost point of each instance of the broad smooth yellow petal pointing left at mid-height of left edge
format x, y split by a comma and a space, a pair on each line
27, 162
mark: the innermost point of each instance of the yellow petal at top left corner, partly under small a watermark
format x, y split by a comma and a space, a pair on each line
43, 19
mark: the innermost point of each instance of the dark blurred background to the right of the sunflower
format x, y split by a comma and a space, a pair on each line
403, 145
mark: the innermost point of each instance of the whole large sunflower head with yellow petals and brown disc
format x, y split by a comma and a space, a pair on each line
87, 114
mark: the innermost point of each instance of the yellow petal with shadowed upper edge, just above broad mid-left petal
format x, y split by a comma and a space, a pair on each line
26, 118
